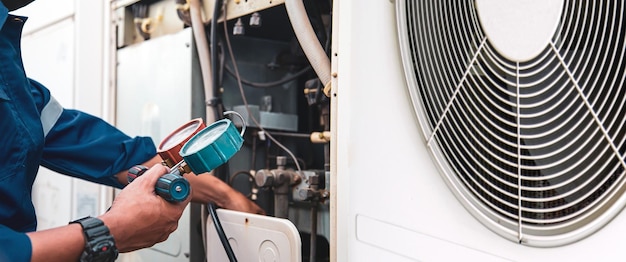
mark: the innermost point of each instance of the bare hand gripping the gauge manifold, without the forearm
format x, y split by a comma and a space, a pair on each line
140, 218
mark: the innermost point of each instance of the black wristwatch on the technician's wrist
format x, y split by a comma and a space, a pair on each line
99, 244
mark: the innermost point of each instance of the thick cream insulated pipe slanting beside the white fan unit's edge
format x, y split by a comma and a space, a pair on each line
308, 40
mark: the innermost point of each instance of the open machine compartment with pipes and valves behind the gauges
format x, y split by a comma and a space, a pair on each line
159, 81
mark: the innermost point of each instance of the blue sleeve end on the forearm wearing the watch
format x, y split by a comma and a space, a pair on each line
14, 246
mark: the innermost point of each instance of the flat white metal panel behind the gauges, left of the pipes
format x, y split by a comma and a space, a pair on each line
154, 97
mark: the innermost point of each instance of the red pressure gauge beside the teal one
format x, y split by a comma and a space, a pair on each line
171, 145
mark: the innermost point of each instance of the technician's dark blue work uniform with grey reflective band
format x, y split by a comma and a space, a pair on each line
35, 130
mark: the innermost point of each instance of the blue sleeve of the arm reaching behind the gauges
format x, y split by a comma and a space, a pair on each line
87, 147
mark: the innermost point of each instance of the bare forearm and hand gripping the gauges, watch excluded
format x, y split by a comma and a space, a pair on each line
138, 218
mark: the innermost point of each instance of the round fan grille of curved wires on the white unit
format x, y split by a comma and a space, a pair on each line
534, 148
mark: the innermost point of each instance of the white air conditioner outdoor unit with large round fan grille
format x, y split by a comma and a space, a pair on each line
479, 130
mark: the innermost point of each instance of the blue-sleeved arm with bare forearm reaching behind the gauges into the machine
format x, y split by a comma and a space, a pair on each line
87, 147
